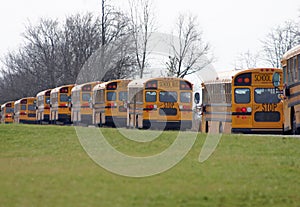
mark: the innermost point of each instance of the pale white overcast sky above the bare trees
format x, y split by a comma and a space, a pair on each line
230, 26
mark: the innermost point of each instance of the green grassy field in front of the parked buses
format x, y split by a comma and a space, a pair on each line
46, 166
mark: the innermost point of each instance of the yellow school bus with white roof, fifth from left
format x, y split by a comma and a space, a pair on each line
81, 112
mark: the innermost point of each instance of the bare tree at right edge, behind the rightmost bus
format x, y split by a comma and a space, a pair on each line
279, 40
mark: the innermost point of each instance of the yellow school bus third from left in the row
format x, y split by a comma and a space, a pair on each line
43, 107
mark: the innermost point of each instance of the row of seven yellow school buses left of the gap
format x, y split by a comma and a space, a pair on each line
142, 103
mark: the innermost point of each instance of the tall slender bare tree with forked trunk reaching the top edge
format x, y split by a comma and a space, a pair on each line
143, 25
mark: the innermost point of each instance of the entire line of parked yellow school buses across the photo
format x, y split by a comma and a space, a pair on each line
264, 100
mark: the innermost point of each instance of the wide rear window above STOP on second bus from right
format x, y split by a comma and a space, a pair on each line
266, 95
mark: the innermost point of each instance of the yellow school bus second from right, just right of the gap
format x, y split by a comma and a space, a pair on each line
247, 102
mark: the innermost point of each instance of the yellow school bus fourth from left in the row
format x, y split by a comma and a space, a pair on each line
60, 104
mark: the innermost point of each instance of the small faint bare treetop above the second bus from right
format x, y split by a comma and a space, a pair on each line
247, 60
